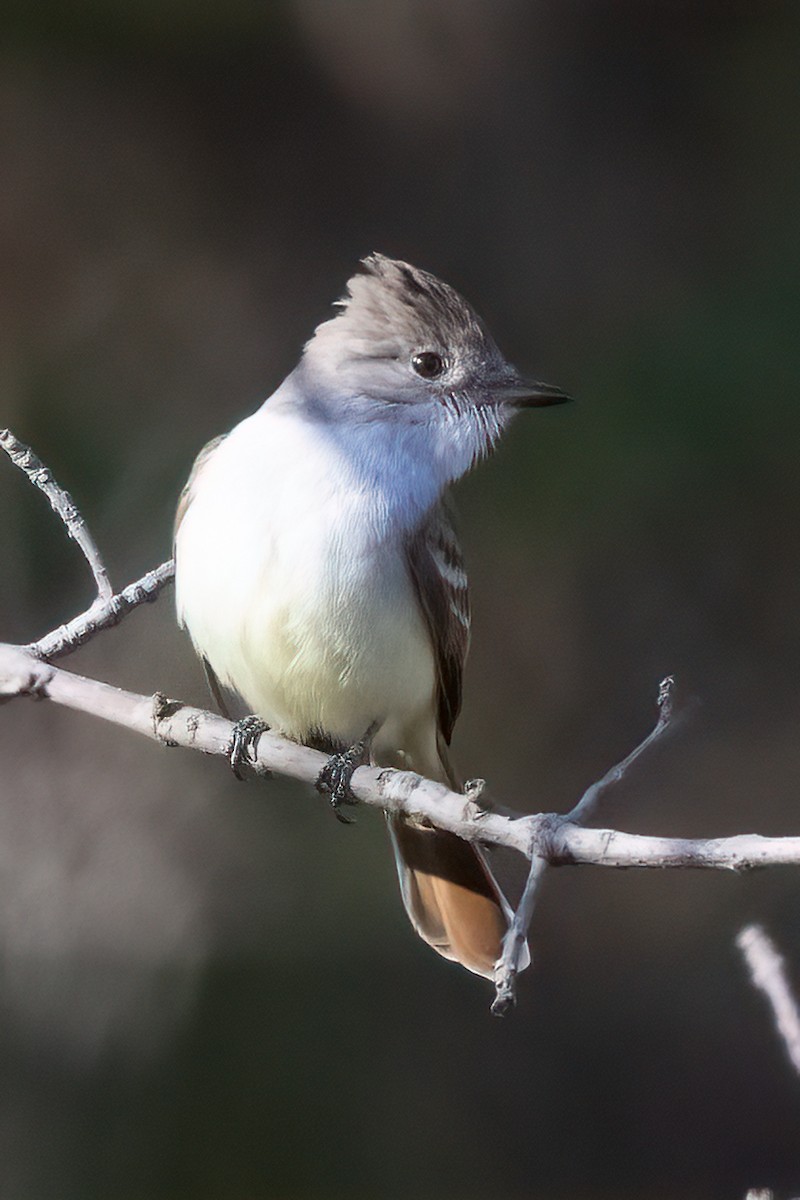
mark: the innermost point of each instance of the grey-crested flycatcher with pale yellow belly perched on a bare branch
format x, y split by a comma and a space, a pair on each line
318, 573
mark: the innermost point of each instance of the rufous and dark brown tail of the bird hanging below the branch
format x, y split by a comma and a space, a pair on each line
450, 895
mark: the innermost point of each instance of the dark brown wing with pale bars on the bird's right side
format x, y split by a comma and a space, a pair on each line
437, 569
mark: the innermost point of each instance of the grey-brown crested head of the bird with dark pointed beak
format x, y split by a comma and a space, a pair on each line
407, 351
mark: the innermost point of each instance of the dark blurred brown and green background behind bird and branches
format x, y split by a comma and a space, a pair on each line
209, 989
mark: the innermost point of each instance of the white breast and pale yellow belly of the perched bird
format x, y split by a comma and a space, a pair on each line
294, 590
